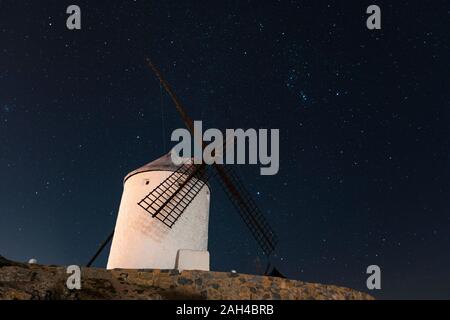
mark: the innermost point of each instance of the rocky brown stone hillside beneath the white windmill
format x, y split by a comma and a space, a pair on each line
30, 281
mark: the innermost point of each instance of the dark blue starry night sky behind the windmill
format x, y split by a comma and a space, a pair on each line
364, 119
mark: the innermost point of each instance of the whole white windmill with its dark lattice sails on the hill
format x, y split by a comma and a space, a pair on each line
164, 212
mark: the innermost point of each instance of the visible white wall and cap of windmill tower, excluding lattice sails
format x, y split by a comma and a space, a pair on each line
141, 241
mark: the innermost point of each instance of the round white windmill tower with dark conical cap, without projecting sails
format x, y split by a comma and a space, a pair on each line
169, 227
